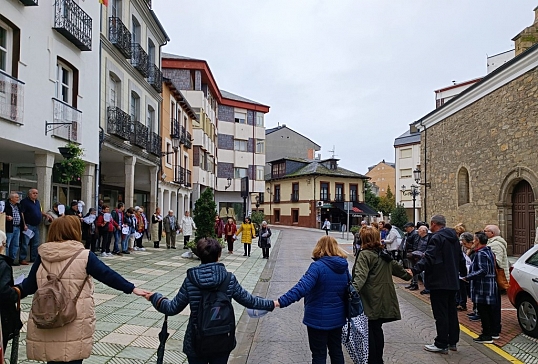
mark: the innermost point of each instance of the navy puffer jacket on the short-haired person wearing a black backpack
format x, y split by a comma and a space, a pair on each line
205, 276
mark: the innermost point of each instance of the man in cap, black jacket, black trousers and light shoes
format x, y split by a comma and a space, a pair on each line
443, 264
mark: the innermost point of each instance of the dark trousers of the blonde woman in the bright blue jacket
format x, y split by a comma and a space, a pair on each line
321, 340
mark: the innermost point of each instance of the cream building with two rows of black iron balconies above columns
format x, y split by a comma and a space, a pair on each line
130, 103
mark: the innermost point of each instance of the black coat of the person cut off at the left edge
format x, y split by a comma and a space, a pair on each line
11, 318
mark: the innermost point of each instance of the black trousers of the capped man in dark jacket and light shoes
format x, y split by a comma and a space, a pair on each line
446, 317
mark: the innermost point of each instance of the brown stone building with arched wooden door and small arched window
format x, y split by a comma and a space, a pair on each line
480, 150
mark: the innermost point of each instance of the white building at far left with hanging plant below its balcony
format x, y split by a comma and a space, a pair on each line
49, 95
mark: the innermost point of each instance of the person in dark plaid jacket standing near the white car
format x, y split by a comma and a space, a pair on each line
482, 276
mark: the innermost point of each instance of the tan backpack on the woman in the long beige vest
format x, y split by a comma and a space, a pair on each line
51, 305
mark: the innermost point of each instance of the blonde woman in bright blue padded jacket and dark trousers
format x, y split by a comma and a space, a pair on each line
324, 287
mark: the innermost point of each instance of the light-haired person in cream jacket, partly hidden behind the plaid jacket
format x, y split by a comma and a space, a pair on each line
498, 246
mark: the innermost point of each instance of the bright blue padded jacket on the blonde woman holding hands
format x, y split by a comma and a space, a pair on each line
323, 287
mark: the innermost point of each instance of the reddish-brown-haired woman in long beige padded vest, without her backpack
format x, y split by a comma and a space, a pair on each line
72, 342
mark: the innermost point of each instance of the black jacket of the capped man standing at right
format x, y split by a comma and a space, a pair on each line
442, 262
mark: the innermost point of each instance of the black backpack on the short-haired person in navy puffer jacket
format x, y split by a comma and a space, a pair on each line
214, 327
